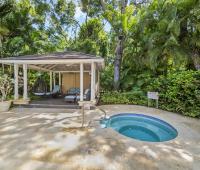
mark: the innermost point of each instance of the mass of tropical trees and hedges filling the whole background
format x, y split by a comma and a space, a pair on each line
142, 41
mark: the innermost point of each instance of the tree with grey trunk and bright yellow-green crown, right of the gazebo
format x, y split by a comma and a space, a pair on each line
120, 15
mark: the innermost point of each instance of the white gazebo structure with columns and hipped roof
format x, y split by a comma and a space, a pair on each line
57, 63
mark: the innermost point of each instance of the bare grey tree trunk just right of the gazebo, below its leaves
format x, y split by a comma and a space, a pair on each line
117, 63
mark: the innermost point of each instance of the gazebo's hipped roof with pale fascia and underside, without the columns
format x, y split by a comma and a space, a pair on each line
59, 61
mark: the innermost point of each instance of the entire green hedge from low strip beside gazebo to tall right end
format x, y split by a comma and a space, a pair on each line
178, 92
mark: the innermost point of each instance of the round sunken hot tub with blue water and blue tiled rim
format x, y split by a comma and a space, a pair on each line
141, 127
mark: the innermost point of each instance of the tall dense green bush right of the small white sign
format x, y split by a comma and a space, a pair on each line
179, 92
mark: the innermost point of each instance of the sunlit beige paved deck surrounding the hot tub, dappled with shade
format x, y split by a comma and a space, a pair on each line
40, 139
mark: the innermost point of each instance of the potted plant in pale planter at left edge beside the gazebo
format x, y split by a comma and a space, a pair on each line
5, 88
